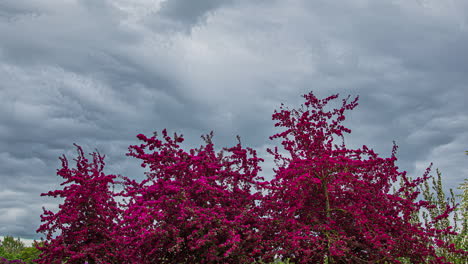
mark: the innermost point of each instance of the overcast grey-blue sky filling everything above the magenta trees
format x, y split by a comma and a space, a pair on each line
97, 73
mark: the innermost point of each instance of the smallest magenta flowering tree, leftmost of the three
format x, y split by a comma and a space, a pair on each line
81, 229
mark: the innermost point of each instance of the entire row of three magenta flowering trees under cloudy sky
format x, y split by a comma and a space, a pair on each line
325, 203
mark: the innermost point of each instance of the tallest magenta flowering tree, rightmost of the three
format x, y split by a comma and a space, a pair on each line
331, 204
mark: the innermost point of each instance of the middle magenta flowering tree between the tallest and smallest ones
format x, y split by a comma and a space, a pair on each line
194, 207
